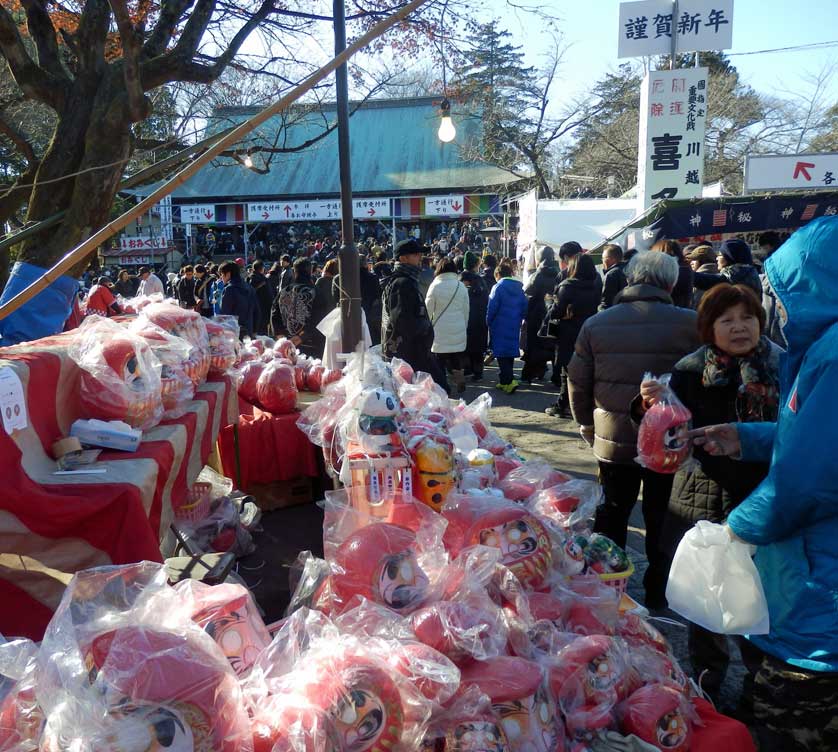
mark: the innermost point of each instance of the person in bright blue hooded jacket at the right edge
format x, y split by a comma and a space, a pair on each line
792, 516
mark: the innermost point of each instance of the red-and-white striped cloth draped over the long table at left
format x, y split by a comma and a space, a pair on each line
54, 525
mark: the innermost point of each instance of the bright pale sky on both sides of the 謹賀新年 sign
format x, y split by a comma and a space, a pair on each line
590, 28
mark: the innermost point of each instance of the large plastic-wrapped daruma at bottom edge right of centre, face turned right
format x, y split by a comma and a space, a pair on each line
521, 701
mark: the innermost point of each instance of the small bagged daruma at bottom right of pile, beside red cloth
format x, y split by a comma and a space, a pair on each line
658, 715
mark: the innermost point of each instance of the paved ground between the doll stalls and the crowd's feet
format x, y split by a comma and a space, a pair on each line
519, 418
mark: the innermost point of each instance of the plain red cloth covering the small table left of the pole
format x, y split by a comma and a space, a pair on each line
271, 448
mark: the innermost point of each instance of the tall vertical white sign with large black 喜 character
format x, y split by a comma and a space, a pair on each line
673, 115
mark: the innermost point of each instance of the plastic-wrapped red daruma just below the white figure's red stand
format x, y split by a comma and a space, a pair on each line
378, 562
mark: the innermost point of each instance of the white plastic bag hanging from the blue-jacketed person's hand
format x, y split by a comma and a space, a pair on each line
714, 583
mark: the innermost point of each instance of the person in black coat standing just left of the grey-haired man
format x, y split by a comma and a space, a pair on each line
577, 299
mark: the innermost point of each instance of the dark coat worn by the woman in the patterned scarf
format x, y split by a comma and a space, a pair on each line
714, 486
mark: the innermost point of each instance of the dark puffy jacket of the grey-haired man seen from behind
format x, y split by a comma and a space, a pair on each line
642, 332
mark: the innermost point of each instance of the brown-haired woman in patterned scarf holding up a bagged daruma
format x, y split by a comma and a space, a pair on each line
733, 377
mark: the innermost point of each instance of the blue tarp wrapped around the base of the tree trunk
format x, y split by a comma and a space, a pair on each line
42, 316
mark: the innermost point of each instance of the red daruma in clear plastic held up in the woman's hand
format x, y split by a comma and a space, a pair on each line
662, 442
